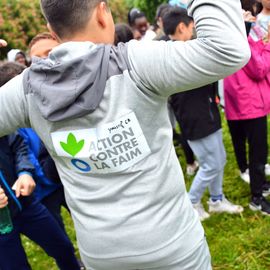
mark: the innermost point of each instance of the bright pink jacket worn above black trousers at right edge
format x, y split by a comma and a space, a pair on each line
247, 92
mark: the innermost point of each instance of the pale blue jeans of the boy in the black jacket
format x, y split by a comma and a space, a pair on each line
211, 155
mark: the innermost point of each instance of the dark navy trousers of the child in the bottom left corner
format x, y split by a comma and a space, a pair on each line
37, 224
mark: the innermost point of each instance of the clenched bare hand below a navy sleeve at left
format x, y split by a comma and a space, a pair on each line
24, 185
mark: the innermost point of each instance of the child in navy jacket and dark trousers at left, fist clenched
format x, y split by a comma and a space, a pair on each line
29, 216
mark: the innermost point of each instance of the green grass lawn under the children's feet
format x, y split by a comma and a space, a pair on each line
239, 242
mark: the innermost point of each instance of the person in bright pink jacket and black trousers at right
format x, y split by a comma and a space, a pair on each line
247, 103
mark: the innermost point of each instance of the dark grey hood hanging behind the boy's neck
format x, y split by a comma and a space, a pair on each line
70, 83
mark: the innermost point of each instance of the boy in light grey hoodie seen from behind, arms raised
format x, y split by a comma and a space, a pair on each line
101, 111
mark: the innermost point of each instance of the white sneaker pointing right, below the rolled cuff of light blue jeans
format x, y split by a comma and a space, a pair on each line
224, 205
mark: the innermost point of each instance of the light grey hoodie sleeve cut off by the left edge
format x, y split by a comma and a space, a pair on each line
13, 106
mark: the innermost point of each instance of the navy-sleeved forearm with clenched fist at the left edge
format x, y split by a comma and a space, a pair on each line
25, 184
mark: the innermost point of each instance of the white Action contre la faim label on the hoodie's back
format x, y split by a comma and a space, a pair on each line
112, 147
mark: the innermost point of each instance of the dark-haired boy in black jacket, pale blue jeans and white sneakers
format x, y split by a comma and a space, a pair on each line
199, 119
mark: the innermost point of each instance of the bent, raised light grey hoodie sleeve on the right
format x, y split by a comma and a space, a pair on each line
221, 48
